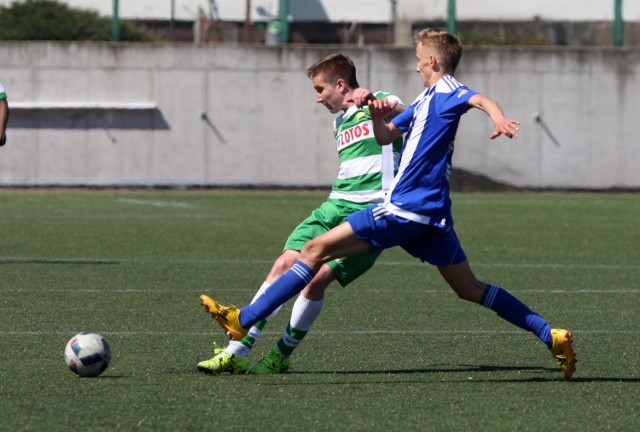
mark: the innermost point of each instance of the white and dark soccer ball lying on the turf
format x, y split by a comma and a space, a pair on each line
87, 354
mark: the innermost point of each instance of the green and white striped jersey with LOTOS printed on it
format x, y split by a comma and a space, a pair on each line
366, 168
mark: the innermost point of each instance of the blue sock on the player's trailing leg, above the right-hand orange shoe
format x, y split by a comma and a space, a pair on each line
513, 310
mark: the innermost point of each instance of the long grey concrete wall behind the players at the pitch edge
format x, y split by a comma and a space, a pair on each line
237, 115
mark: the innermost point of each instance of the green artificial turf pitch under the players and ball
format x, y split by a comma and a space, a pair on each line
396, 350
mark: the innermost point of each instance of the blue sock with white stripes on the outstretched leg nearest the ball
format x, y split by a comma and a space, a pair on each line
285, 287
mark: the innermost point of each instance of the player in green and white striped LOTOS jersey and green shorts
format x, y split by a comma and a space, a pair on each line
366, 172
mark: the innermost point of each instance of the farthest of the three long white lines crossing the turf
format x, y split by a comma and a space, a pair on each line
240, 261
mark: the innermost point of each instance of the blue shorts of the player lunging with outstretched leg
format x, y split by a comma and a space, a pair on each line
437, 246
